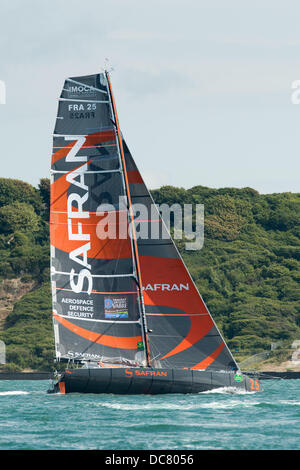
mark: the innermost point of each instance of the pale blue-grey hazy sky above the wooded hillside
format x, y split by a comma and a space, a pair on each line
203, 88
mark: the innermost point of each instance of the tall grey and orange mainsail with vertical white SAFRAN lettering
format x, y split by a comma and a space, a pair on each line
96, 306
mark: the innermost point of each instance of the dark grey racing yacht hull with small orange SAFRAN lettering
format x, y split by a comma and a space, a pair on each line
134, 381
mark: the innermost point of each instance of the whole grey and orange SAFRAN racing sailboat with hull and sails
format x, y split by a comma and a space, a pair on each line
127, 316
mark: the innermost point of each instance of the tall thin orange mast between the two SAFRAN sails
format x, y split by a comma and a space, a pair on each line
131, 215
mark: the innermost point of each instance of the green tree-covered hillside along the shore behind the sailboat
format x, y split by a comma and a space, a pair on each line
248, 272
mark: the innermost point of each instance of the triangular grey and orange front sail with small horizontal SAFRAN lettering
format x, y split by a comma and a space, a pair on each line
181, 331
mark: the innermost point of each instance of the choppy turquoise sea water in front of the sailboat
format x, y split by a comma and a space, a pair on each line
218, 420
